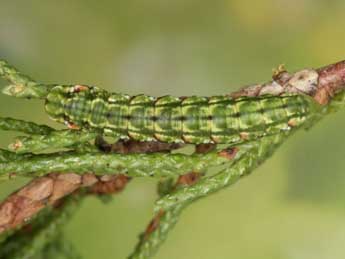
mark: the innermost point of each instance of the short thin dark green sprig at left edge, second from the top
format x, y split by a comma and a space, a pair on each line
24, 126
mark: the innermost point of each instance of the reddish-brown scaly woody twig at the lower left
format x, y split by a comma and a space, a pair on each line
24, 204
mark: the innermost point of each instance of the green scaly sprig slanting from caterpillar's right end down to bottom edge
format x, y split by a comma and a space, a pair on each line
173, 204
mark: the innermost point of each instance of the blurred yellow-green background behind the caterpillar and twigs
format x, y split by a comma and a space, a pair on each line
292, 207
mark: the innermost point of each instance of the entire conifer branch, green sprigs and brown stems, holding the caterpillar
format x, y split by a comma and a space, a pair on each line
324, 85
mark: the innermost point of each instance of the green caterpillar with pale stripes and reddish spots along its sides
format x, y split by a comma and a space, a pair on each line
216, 119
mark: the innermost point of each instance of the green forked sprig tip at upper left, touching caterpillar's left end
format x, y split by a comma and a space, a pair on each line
21, 85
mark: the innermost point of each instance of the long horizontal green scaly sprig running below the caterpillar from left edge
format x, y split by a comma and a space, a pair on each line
134, 165
